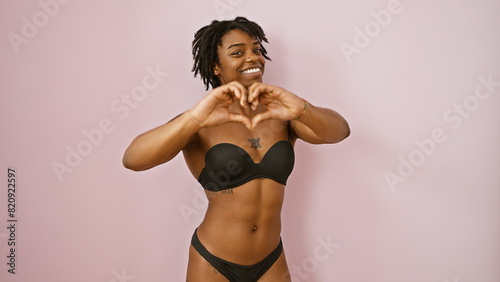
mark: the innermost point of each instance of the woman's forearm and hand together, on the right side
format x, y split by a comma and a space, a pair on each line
316, 125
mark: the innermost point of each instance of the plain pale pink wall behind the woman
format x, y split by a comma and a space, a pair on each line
101, 222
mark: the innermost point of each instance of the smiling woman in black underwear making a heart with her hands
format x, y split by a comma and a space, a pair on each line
238, 142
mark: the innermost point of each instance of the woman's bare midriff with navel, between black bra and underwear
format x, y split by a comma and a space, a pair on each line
243, 224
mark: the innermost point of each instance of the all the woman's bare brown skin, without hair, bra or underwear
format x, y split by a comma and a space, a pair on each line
242, 225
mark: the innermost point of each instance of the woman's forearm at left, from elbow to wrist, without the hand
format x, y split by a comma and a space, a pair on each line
160, 144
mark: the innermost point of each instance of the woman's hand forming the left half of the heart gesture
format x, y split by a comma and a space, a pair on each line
213, 109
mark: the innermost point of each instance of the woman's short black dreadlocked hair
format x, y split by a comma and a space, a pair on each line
207, 40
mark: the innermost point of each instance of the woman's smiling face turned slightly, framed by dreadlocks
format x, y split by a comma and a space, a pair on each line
240, 59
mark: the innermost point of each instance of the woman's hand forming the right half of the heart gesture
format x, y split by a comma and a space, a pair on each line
279, 103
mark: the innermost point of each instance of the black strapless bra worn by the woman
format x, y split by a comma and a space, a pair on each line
228, 166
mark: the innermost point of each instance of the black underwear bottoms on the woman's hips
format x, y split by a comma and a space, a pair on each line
236, 272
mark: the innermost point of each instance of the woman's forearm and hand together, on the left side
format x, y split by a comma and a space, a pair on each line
163, 143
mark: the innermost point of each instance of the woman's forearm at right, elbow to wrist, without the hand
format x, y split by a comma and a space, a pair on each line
321, 125
